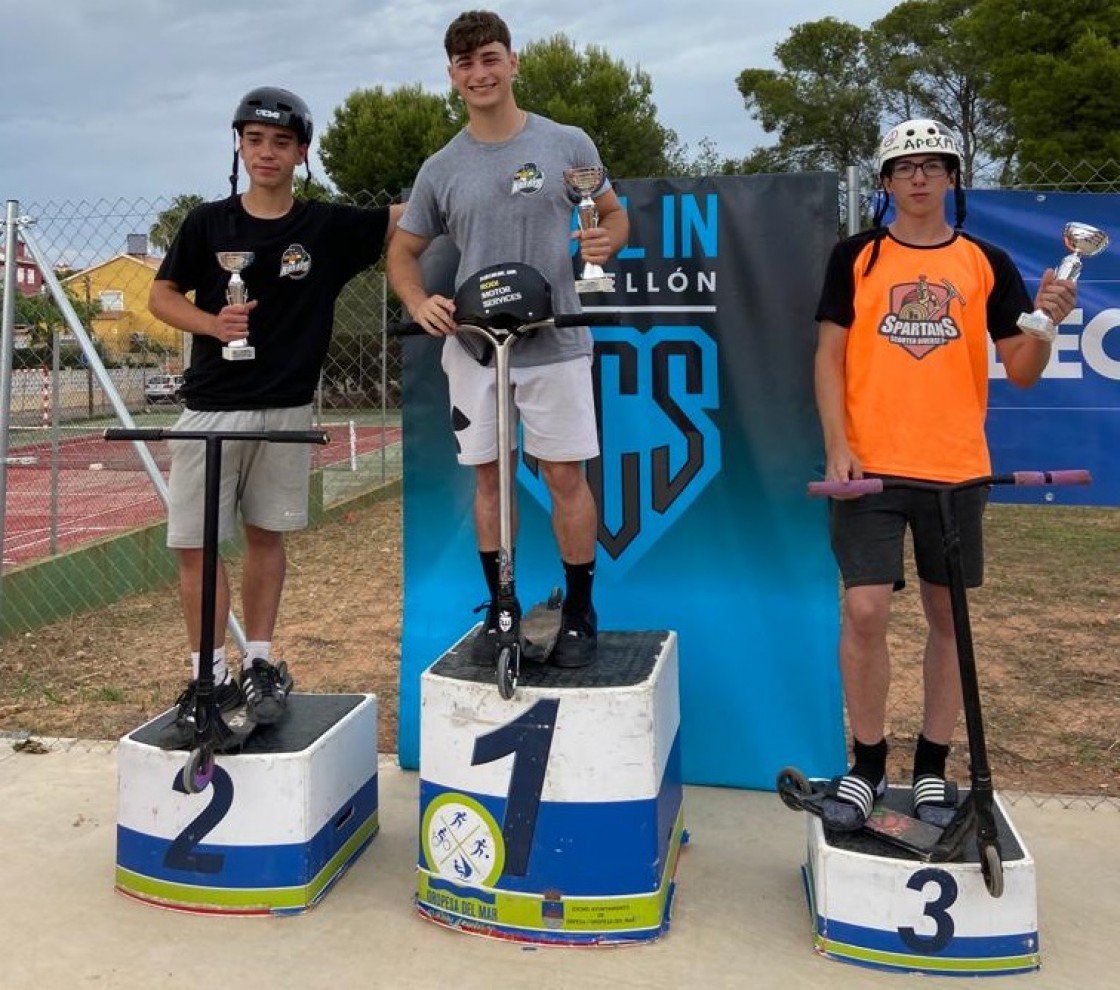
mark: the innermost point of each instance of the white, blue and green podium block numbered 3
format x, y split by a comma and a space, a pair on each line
874, 907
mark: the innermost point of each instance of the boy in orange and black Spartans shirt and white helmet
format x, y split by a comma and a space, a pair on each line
902, 390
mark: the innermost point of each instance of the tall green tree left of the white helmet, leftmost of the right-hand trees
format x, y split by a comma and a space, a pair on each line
825, 104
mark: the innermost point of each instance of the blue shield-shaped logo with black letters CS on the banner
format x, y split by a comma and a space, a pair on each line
657, 395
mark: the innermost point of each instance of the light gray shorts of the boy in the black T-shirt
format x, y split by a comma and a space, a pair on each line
268, 483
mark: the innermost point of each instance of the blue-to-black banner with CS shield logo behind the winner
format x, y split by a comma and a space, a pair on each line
710, 434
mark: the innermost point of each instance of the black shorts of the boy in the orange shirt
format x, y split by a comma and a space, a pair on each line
869, 534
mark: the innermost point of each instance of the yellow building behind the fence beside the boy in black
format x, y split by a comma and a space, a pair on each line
120, 287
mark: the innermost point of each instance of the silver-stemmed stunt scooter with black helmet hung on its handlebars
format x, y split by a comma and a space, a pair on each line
500, 306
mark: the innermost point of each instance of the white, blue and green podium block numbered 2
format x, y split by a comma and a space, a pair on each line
277, 825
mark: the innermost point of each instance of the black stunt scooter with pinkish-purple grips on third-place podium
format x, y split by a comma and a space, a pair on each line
975, 816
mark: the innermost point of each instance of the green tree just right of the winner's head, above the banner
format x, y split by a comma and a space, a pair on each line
602, 96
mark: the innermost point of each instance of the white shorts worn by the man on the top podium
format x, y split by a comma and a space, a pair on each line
555, 405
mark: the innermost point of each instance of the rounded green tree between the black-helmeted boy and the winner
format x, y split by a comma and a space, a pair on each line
378, 141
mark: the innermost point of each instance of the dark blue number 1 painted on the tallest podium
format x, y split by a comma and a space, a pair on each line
529, 739
